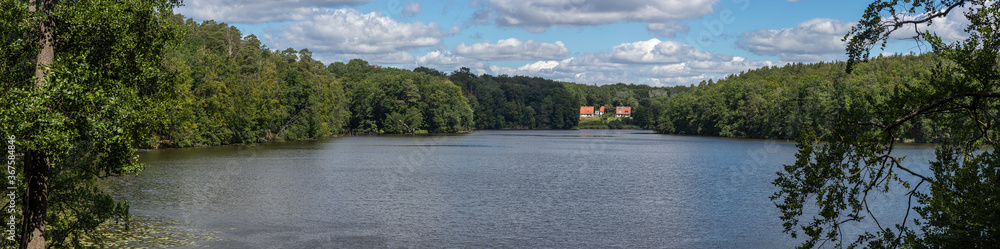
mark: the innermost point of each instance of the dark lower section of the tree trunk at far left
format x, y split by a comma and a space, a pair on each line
35, 200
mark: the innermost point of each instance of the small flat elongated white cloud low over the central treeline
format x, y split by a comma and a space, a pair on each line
513, 49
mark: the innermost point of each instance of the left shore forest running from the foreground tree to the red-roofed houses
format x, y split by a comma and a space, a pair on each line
233, 89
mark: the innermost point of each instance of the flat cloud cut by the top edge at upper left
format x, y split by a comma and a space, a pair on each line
257, 11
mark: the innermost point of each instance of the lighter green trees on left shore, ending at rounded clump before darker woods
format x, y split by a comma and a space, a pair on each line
236, 90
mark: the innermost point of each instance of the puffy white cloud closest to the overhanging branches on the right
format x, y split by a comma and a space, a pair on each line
814, 40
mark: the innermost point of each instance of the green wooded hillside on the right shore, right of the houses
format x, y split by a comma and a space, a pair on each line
779, 102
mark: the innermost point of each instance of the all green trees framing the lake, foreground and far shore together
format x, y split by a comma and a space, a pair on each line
87, 83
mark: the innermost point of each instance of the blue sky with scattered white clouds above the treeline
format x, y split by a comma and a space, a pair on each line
659, 43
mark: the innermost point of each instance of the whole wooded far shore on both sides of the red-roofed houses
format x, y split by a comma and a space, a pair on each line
233, 89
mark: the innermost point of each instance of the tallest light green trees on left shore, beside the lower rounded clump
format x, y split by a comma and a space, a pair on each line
235, 90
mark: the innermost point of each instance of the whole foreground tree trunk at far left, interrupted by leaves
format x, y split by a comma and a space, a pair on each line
36, 168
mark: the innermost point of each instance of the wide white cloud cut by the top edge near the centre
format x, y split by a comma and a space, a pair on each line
536, 16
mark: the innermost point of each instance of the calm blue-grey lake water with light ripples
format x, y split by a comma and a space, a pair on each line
507, 189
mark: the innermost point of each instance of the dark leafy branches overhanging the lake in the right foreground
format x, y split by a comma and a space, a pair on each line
957, 103
